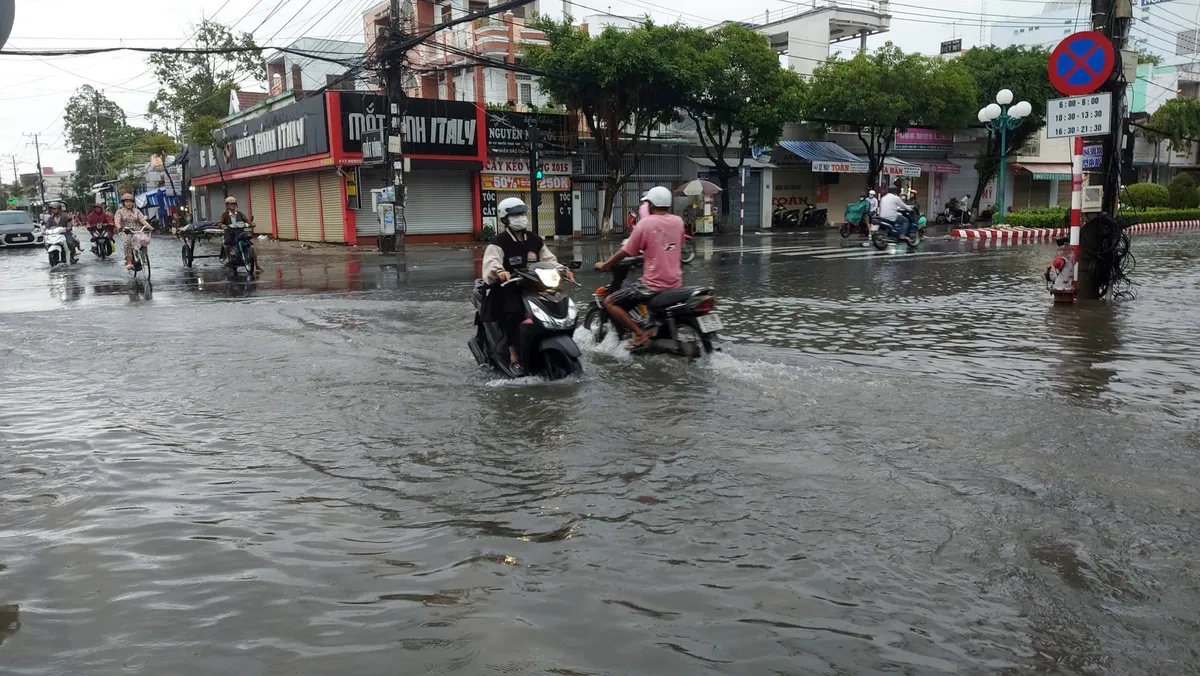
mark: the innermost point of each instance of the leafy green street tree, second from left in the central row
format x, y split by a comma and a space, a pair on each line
741, 97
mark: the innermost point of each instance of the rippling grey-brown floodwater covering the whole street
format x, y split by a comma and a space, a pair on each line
898, 464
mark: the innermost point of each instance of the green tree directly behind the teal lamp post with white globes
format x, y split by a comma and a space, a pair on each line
1022, 70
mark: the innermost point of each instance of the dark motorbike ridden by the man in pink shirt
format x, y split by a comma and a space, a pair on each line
680, 322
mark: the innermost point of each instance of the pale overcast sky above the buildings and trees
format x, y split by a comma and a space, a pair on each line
37, 91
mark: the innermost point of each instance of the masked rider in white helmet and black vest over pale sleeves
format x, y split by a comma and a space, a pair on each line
513, 249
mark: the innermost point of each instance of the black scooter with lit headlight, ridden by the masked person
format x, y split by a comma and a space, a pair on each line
547, 349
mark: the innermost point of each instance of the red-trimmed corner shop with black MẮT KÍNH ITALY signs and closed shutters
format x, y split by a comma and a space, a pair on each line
298, 172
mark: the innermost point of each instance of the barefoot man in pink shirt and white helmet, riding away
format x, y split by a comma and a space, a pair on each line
658, 238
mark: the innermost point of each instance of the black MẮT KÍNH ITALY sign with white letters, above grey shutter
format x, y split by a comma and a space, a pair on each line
431, 127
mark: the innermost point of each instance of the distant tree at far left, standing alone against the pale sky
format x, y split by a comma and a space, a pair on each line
97, 131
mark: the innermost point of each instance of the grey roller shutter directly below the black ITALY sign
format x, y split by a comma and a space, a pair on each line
440, 204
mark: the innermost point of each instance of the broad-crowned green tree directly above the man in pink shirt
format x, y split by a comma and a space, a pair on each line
622, 83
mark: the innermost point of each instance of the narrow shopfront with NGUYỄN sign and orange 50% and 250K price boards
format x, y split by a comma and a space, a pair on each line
507, 172
